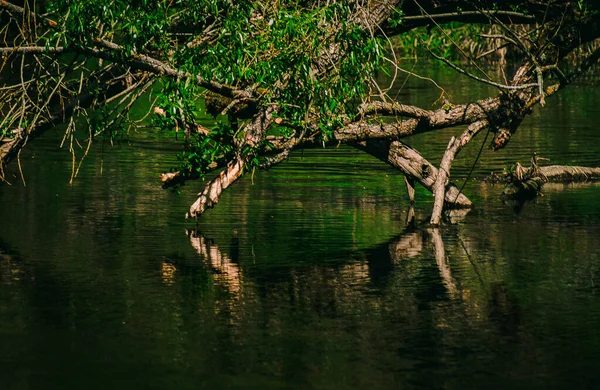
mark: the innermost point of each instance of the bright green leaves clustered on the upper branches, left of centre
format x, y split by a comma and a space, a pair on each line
269, 49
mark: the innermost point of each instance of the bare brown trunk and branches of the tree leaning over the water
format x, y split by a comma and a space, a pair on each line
503, 113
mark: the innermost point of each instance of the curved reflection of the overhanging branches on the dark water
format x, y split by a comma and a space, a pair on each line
363, 271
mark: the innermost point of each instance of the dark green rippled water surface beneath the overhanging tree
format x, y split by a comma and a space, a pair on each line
303, 277
